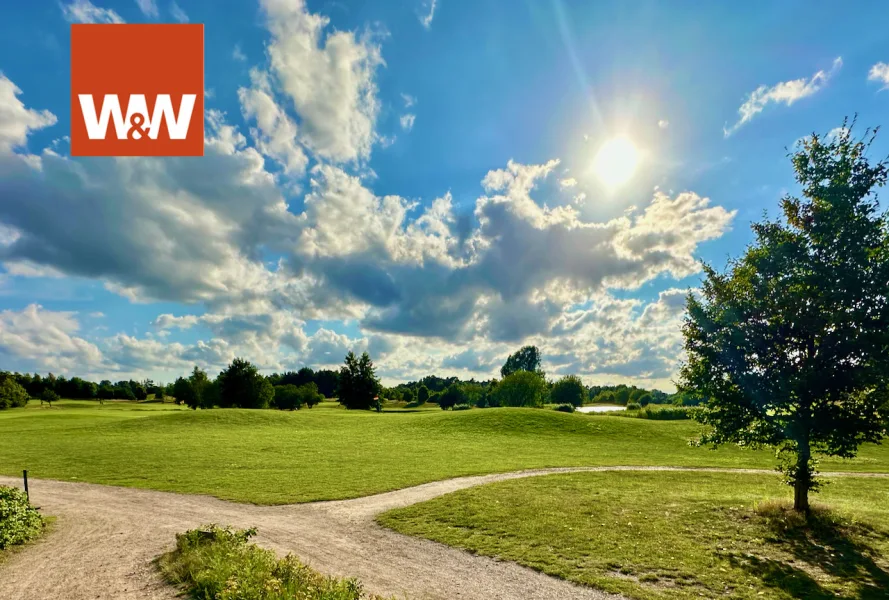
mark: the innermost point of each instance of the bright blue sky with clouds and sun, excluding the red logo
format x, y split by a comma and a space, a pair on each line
437, 182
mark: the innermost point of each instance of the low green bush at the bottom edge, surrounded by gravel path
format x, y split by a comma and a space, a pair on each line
215, 563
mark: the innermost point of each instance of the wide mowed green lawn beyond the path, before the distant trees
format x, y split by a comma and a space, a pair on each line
274, 457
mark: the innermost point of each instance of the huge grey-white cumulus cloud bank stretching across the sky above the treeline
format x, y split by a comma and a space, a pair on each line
422, 282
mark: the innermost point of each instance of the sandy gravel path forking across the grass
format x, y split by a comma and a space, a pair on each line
105, 538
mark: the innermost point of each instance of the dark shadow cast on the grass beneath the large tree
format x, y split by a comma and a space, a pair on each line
821, 542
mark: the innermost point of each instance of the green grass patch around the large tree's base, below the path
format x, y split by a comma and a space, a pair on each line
673, 535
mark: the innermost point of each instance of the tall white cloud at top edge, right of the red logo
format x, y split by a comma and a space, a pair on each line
328, 77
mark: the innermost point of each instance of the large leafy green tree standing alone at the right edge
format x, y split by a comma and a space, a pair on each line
791, 344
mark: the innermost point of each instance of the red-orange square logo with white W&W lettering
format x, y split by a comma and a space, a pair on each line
137, 90
